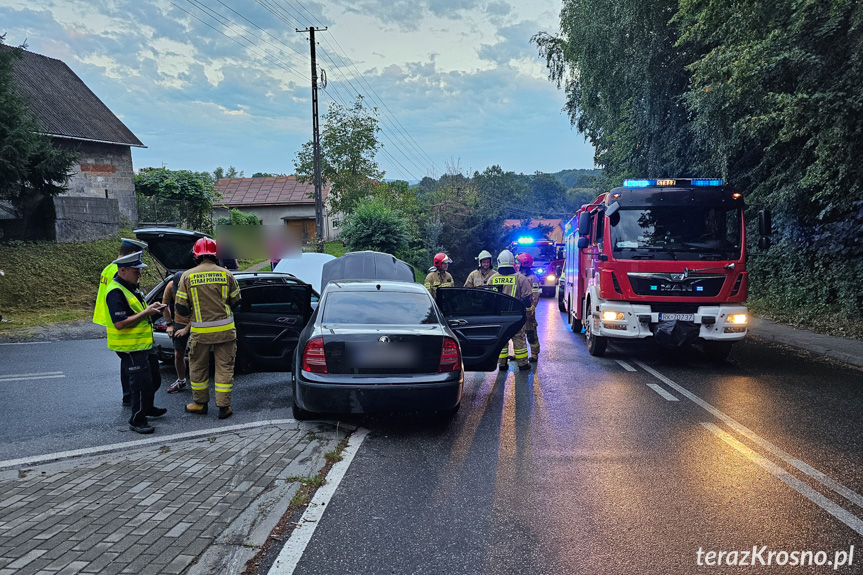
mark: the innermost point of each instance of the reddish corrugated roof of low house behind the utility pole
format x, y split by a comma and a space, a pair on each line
280, 191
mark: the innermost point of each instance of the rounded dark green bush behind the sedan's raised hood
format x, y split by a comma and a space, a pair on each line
376, 225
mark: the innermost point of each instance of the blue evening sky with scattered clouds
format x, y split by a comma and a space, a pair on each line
207, 83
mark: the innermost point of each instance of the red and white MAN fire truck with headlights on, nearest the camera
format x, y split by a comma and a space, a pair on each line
662, 259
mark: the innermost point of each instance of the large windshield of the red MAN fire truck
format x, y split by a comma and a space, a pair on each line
676, 232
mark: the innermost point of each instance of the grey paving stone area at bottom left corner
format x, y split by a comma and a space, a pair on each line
201, 505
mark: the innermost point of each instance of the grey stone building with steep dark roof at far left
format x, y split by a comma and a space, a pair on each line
101, 188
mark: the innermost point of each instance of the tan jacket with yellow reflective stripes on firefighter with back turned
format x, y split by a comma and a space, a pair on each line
205, 297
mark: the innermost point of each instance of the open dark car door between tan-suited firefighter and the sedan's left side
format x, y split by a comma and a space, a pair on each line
269, 320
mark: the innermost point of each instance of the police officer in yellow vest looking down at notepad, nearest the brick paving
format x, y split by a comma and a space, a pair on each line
130, 335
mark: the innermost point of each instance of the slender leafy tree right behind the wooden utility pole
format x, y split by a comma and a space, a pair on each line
348, 147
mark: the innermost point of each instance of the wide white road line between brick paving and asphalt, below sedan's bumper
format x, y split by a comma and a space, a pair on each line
294, 548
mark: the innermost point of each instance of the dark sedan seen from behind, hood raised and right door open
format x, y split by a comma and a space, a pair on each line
378, 341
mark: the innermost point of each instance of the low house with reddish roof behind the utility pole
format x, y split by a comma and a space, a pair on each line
281, 200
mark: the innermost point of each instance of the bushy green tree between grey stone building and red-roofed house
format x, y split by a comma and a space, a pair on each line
192, 192
